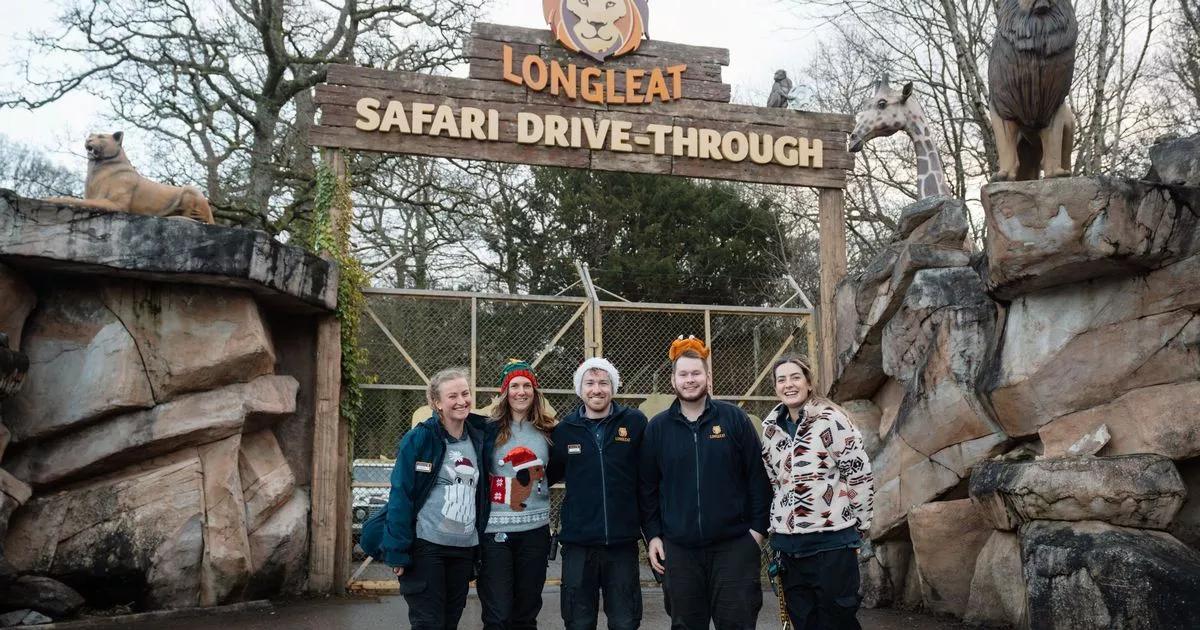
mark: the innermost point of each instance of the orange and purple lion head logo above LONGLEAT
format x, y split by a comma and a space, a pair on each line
598, 28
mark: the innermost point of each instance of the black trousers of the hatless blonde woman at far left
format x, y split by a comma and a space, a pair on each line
436, 585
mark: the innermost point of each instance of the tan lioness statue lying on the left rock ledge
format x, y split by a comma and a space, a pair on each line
113, 184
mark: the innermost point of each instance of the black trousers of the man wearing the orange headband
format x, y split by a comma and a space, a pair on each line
719, 584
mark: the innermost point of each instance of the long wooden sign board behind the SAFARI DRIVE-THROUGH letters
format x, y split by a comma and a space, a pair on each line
349, 85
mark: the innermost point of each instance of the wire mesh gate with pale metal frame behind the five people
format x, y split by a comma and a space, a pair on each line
410, 335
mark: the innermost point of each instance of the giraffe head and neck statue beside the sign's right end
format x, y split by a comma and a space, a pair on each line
891, 111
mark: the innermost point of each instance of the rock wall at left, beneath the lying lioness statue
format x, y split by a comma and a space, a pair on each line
158, 452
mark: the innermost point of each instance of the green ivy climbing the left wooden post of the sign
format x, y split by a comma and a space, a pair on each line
333, 239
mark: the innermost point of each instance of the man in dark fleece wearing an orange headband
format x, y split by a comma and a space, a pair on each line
705, 501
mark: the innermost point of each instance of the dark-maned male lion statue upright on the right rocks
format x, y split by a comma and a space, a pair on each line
1029, 76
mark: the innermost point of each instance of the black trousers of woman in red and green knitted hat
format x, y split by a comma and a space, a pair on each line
512, 578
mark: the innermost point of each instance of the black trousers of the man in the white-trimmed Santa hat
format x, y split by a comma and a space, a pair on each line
592, 569
